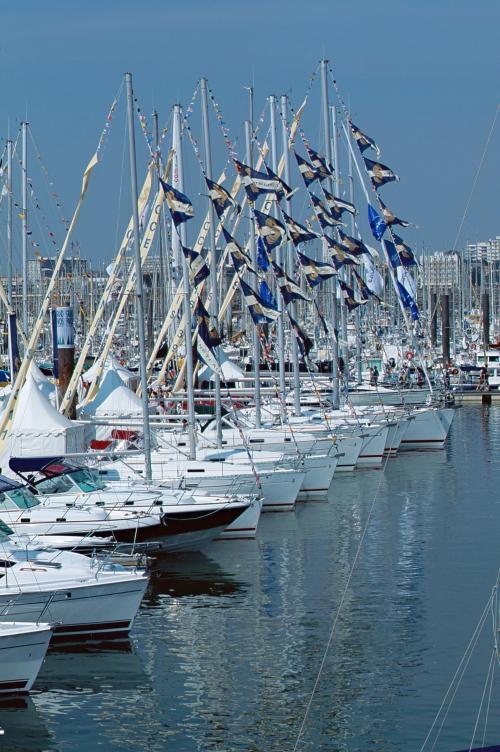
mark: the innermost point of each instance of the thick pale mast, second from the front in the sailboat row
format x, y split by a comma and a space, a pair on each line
188, 336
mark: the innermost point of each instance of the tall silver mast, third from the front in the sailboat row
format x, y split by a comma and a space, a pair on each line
213, 252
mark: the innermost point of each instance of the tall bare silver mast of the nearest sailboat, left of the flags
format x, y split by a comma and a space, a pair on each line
138, 279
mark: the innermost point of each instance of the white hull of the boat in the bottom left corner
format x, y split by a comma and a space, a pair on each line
22, 649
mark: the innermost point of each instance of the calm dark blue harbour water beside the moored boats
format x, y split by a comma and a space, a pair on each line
227, 645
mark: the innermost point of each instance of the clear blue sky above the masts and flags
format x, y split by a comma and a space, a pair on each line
421, 78
